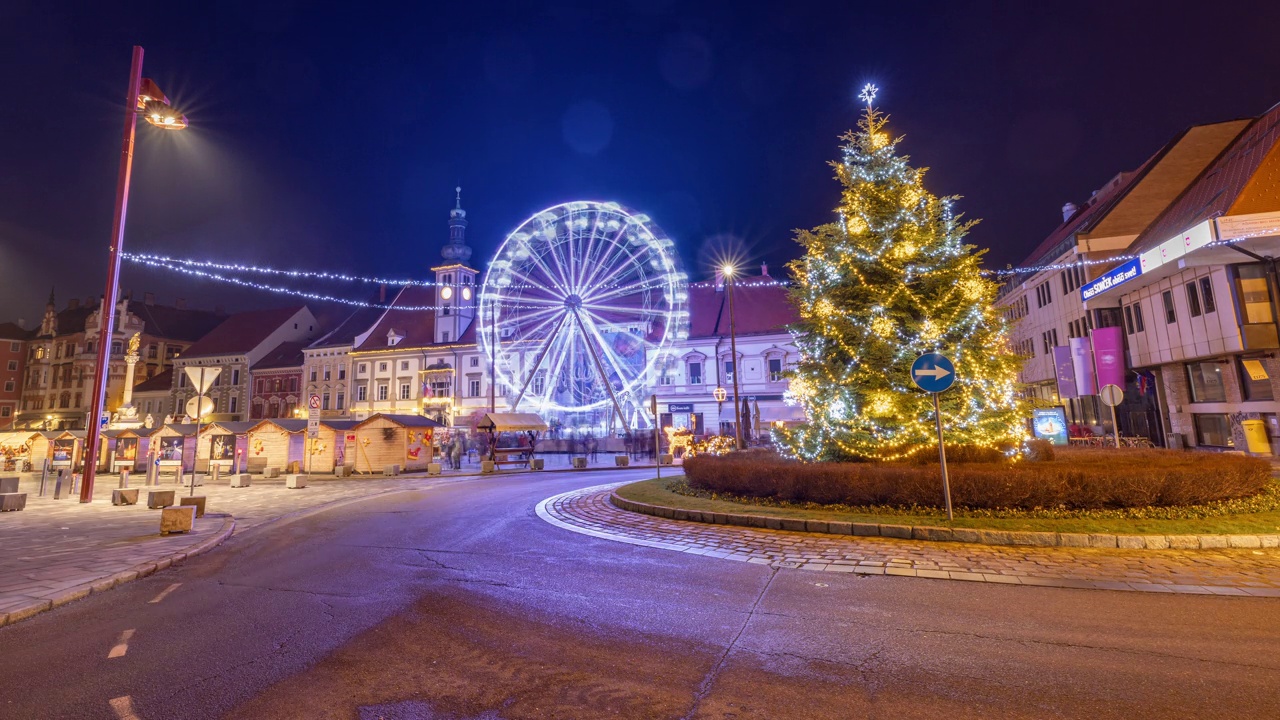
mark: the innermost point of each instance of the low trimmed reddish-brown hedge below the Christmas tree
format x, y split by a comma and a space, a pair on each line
1075, 480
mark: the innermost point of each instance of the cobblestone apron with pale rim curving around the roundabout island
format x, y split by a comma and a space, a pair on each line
1227, 572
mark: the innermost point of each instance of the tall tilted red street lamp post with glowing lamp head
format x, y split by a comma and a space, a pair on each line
143, 97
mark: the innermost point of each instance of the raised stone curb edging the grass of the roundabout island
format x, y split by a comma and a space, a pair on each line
956, 535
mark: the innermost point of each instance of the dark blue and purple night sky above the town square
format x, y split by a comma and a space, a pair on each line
332, 139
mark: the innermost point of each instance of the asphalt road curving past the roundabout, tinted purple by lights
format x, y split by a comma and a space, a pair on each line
458, 603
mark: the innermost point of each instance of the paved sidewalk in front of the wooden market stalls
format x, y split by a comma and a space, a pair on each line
61, 550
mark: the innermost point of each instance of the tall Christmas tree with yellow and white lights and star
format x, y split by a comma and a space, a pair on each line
889, 281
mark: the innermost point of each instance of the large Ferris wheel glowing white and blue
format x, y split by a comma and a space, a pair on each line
578, 308
